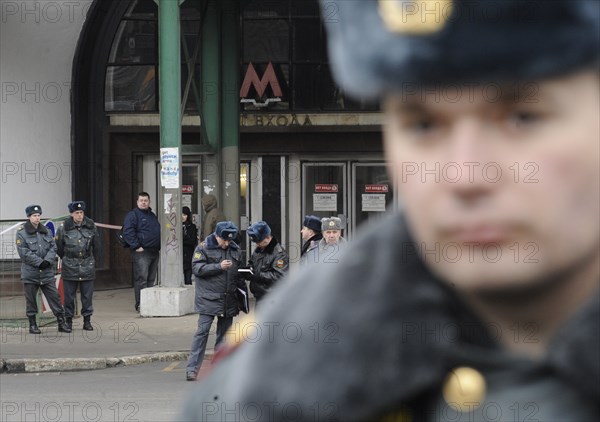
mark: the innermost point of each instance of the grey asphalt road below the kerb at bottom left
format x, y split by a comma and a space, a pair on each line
151, 392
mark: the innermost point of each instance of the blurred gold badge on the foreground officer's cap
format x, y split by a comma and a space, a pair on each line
415, 17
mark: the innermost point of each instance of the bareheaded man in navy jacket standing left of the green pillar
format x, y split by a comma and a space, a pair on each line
141, 230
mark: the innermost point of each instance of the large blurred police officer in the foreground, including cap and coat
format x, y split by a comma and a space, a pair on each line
481, 301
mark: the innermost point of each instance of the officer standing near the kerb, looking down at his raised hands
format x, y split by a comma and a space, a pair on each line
215, 264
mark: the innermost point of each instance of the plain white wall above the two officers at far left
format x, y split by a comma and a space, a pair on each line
37, 45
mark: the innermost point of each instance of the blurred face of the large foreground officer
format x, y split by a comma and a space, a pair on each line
501, 193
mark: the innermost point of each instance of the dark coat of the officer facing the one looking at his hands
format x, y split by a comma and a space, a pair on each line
269, 265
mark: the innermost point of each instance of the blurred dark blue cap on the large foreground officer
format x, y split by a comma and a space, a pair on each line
393, 45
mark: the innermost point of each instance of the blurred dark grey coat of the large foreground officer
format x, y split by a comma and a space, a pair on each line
377, 336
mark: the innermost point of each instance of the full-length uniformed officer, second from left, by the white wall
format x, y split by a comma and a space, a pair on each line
78, 244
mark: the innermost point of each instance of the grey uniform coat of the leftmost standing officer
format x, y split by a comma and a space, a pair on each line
34, 246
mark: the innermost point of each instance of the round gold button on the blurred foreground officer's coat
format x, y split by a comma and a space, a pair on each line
464, 389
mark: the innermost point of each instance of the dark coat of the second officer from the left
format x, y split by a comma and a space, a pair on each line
78, 246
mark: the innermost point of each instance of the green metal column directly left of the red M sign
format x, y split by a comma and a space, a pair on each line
231, 109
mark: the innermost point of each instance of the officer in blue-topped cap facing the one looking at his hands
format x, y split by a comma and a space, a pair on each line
269, 261
